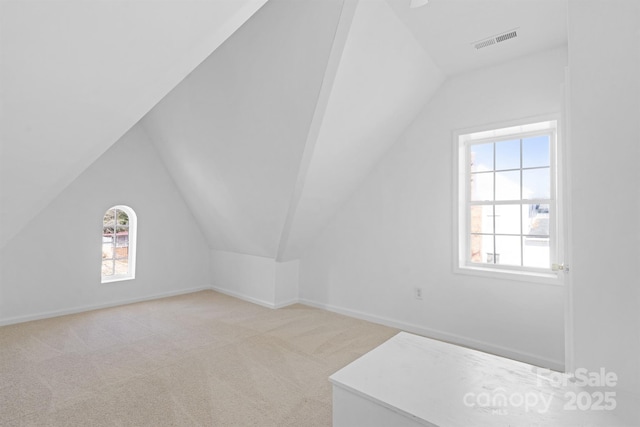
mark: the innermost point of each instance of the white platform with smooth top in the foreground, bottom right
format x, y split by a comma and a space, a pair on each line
434, 383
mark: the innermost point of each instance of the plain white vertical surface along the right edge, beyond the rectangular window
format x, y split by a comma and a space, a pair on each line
605, 157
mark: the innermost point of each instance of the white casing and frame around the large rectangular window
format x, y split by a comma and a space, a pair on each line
462, 139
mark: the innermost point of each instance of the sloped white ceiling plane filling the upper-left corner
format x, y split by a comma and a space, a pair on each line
76, 75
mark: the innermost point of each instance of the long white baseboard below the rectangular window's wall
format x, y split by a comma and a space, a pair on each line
532, 359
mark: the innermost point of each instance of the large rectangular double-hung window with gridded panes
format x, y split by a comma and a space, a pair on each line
508, 211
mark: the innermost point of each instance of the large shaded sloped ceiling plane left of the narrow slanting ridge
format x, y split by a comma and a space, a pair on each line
232, 134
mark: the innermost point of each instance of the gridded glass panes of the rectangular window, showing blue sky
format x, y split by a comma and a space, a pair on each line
509, 194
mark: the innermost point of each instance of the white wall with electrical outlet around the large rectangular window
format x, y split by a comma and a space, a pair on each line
395, 234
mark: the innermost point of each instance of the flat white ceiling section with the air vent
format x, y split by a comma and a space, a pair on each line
447, 29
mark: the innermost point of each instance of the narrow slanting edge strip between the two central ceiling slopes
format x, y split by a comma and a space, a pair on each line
339, 42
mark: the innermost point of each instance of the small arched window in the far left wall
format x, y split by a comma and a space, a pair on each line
118, 244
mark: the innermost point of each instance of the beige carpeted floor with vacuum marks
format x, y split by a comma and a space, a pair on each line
202, 359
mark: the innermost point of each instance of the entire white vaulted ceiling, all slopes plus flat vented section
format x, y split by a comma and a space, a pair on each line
267, 114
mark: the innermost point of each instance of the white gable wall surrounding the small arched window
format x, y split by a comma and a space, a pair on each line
53, 265
